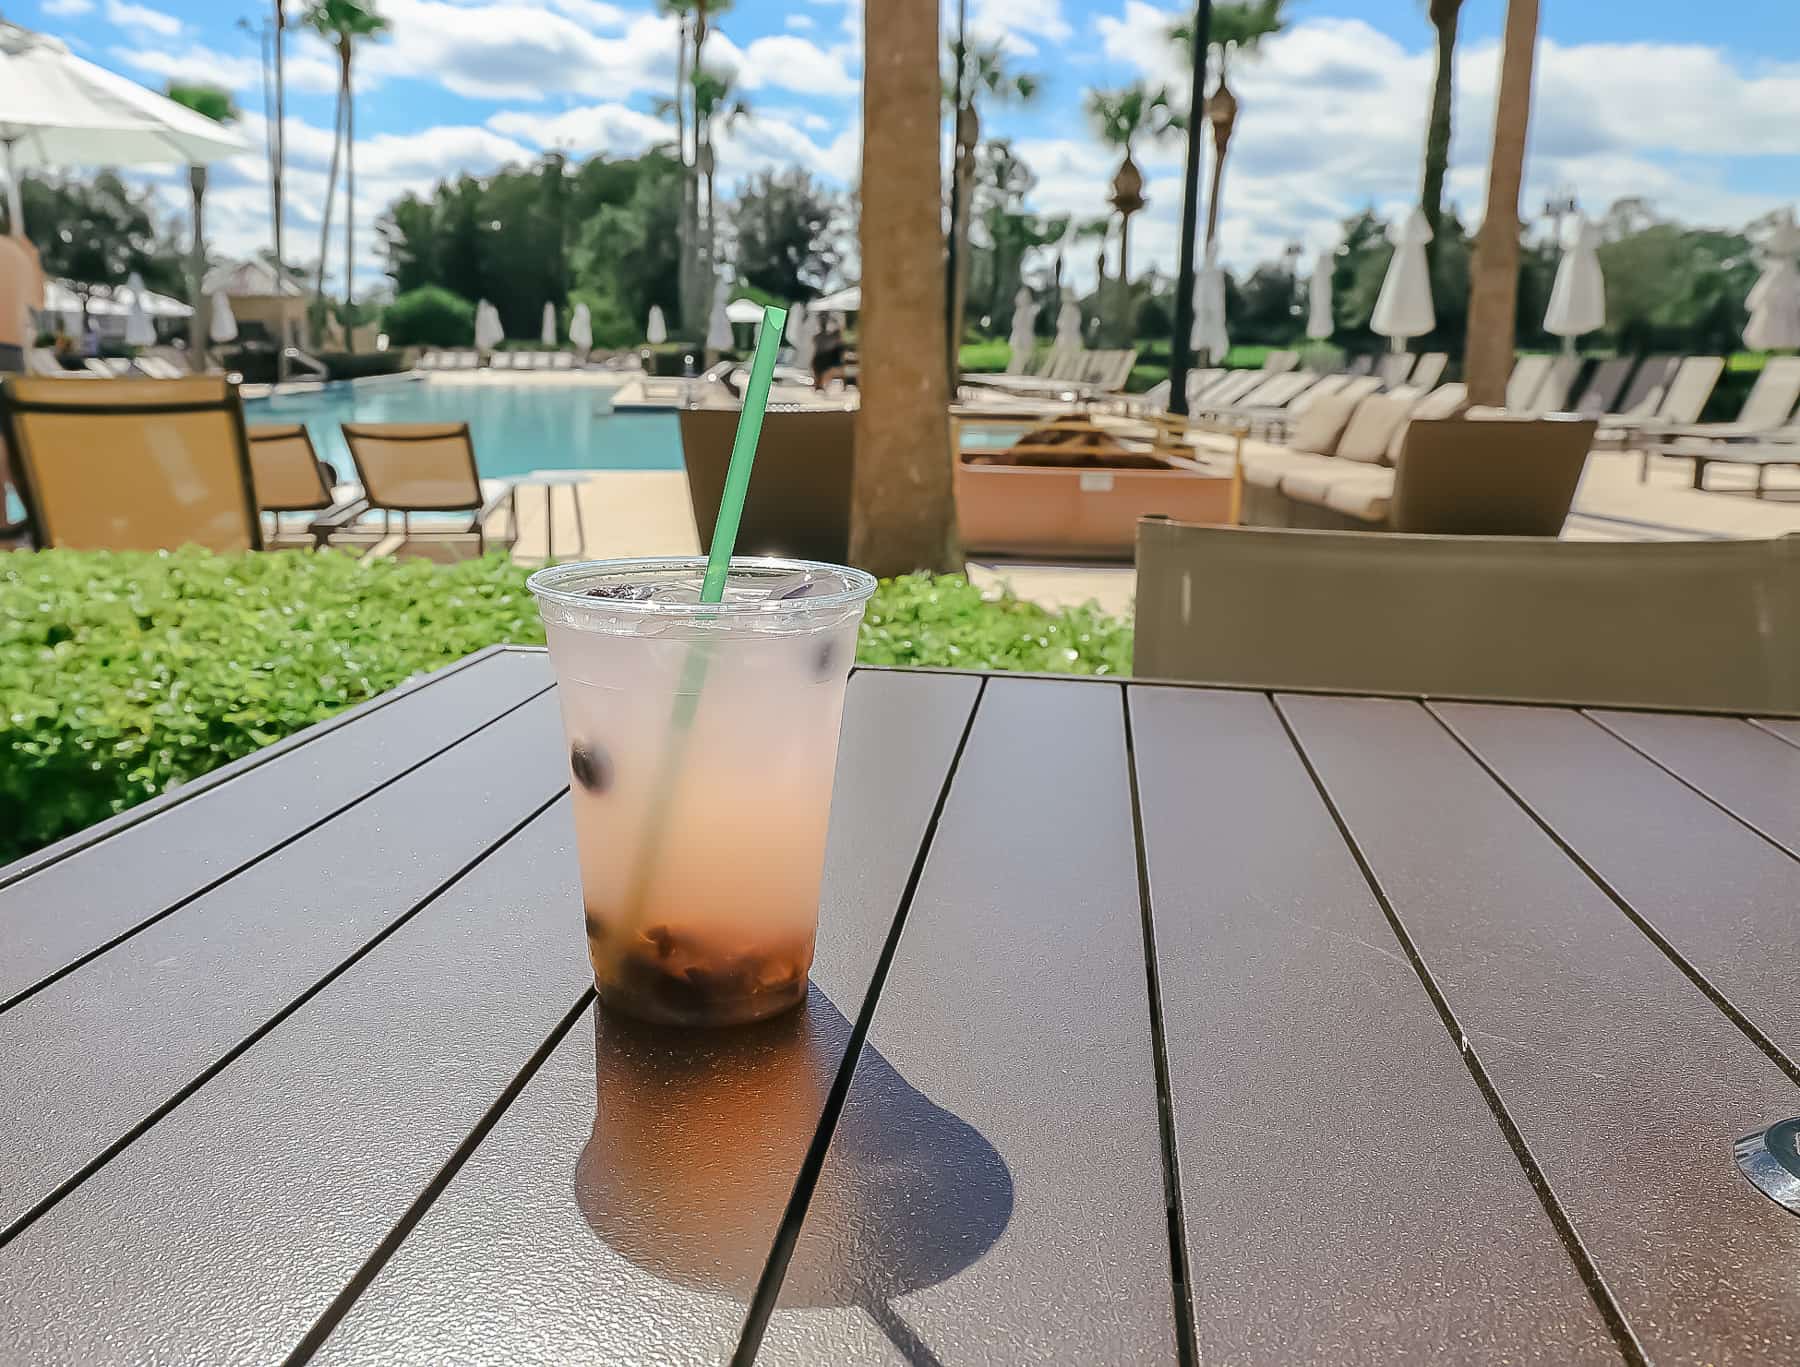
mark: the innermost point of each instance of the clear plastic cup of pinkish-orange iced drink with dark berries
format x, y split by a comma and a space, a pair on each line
703, 739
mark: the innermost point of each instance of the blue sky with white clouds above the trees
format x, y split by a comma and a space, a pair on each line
1633, 98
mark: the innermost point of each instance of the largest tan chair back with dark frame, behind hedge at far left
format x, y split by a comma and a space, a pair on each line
132, 466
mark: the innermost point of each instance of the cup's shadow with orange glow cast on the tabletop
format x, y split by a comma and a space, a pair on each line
699, 1137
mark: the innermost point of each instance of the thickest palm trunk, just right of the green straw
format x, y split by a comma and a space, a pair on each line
903, 514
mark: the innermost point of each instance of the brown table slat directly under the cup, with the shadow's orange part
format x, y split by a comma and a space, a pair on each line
528, 1256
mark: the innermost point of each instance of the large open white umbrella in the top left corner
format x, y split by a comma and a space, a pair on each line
62, 111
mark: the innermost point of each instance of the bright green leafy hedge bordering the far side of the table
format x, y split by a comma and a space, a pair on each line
127, 674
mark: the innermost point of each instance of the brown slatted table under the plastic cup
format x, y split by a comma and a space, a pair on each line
1147, 1024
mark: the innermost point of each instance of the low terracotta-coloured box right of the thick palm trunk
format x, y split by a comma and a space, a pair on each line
1079, 512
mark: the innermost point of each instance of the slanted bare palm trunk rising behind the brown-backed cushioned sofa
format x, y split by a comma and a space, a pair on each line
1495, 273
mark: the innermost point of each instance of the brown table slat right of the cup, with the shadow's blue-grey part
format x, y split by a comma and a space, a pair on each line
994, 1188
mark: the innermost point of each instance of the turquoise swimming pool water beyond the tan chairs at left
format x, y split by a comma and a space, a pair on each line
516, 428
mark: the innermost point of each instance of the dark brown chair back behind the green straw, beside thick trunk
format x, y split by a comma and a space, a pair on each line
800, 500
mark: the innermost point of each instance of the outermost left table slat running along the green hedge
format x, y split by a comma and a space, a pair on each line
148, 867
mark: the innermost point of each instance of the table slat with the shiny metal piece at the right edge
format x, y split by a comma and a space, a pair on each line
1626, 1083
